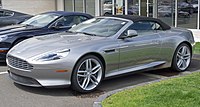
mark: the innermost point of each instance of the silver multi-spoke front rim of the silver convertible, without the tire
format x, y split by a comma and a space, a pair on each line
89, 74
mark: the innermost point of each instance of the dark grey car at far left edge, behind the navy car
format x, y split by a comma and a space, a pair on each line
8, 17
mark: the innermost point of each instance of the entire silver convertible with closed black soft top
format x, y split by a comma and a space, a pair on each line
99, 48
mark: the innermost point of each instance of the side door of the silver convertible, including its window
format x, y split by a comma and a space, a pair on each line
142, 49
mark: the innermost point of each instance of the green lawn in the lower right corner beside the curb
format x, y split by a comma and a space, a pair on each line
176, 92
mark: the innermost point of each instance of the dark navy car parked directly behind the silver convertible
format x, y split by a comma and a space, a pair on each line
42, 24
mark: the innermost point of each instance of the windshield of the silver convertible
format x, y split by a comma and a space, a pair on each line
99, 27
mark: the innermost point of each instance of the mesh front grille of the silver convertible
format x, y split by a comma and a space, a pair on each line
19, 63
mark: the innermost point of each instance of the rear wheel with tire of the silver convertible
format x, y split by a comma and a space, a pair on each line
182, 58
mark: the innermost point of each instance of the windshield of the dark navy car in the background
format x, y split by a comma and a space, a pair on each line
40, 20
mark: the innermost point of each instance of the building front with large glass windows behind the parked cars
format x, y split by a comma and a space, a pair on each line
177, 13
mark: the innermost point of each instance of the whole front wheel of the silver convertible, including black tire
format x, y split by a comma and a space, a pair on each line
84, 79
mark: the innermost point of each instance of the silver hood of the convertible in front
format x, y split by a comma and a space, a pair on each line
55, 42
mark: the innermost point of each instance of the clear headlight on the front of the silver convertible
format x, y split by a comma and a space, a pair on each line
52, 55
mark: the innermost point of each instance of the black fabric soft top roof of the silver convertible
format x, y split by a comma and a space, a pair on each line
143, 18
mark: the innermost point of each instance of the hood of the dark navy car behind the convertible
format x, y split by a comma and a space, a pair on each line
16, 28
